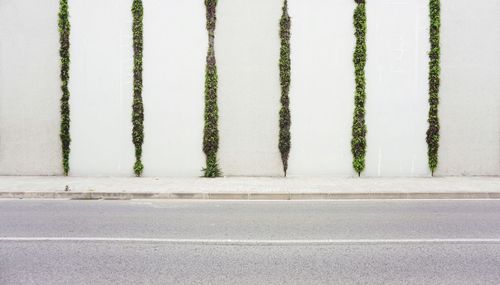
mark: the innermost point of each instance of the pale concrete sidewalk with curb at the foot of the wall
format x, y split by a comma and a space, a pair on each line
239, 188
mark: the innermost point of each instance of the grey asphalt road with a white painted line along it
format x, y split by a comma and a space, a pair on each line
210, 242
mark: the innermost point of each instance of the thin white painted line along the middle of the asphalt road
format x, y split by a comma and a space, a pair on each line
252, 242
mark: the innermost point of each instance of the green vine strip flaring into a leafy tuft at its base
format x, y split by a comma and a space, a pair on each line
211, 131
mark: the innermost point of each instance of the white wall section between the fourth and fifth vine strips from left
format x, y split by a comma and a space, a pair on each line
322, 87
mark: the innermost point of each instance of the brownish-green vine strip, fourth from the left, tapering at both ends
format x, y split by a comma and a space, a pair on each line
285, 67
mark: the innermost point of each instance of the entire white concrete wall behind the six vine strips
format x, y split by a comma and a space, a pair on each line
247, 48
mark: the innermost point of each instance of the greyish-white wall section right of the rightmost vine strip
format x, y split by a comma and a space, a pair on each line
470, 88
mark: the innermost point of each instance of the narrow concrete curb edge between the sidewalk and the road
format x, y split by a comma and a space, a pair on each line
243, 196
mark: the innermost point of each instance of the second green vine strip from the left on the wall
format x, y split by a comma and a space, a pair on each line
138, 107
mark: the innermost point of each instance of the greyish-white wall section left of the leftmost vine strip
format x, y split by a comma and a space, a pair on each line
29, 88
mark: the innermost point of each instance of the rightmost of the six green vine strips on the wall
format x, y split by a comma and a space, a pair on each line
434, 83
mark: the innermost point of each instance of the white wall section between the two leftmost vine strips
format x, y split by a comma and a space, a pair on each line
101, 87
